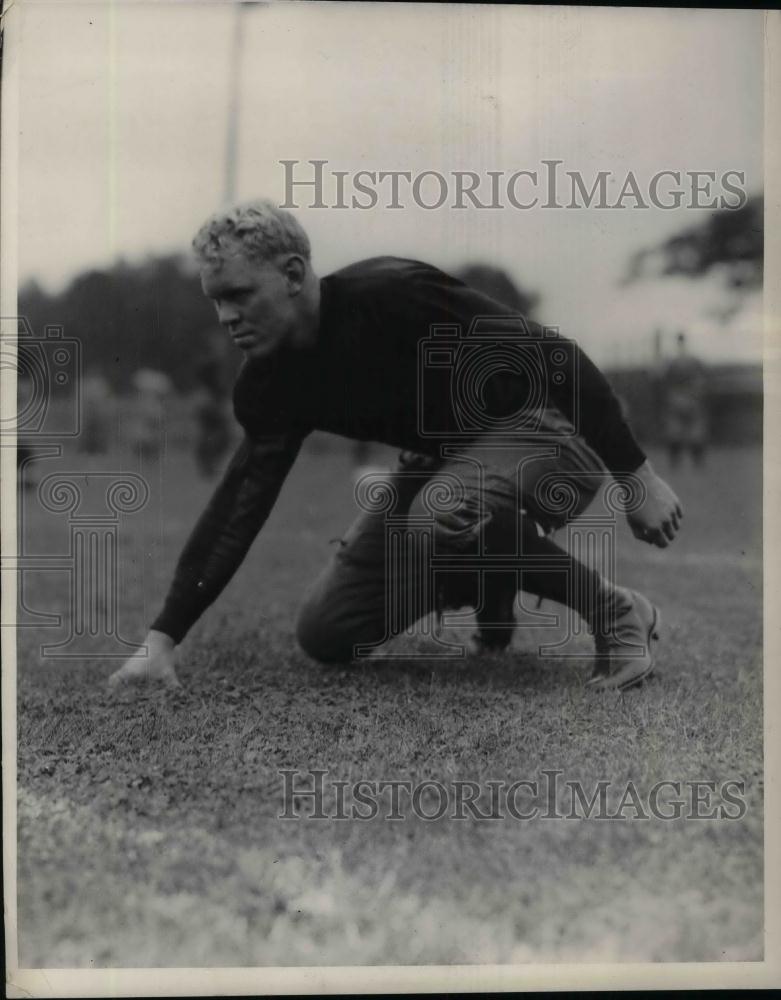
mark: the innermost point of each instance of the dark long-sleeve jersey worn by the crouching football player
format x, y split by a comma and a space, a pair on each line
405, 355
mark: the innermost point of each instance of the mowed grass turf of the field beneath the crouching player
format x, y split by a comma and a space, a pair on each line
148, 824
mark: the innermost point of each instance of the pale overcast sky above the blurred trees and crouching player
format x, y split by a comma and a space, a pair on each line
123, 119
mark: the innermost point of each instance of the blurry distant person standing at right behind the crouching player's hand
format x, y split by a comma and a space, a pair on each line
684, 401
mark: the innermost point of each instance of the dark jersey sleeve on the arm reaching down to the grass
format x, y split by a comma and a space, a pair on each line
226, 529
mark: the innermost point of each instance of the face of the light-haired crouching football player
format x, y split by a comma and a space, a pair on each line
253, 301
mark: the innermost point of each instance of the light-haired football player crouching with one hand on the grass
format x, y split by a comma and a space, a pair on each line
342, 354
